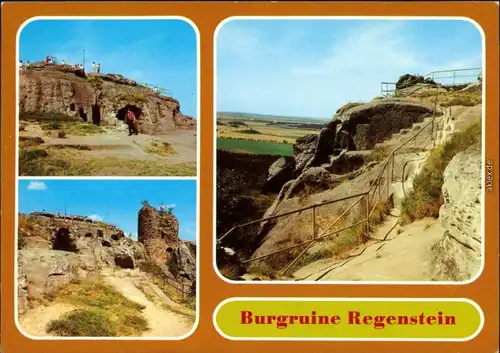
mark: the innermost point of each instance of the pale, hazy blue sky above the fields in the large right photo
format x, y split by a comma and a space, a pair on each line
310, 68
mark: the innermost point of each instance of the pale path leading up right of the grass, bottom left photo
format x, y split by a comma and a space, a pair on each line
162, 321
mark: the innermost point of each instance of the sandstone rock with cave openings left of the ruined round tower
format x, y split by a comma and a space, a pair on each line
54, 250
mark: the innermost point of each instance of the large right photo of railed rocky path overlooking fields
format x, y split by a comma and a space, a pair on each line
349, 149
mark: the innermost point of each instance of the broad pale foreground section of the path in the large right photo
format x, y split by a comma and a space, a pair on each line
404, 255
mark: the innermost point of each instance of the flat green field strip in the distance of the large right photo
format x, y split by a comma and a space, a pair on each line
256, 147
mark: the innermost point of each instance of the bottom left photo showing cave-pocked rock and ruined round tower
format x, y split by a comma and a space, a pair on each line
107, 258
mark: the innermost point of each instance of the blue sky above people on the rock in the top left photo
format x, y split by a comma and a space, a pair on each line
157, 52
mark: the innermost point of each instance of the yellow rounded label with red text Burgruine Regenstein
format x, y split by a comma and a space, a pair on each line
350, 319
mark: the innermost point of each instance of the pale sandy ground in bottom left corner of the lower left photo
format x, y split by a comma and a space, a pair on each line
35, 321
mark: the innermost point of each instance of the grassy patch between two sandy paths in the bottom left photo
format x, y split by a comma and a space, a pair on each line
101, 312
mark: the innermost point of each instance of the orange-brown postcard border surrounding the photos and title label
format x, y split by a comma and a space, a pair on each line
206, 16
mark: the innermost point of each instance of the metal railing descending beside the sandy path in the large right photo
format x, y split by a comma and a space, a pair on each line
367, 202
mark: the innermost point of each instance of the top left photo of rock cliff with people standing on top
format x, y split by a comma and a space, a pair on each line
108, 97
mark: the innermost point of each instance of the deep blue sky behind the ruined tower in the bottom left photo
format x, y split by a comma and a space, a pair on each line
115, 202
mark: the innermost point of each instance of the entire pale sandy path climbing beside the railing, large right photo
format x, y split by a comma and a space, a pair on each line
398, 253
